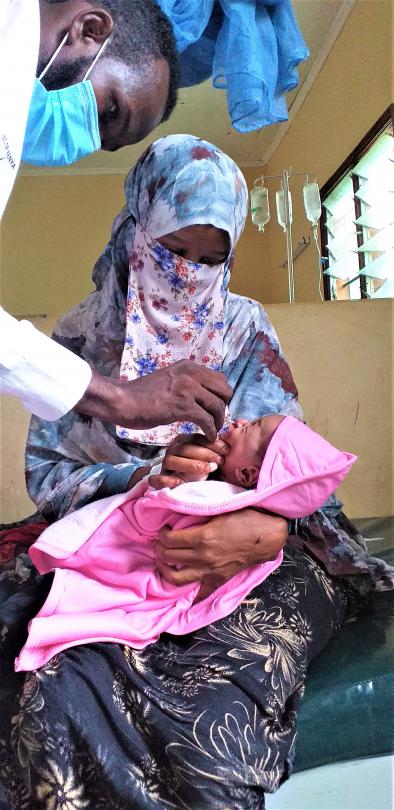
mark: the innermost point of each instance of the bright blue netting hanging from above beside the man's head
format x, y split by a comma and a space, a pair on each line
251, 48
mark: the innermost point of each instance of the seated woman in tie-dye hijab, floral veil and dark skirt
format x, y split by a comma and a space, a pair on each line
208, 719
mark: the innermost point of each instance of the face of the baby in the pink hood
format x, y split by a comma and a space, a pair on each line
247, 442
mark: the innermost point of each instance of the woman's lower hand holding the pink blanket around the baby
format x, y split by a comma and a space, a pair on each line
217, 550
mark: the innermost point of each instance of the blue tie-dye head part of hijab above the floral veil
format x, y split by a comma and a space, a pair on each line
182, 180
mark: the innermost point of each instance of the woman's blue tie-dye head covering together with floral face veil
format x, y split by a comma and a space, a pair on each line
174, 306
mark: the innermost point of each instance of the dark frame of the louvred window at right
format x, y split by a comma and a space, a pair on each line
348, 164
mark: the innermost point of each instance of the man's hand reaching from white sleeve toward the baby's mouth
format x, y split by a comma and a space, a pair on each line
182, 391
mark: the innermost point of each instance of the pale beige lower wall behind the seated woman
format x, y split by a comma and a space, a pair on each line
341, 356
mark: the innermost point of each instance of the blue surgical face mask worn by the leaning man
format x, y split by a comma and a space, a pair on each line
62, 126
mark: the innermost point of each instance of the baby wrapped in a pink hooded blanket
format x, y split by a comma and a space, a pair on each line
106, 586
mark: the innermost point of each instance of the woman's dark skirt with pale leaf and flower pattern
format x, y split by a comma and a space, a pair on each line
206, 720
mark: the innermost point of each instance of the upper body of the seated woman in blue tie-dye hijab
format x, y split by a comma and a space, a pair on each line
160, 298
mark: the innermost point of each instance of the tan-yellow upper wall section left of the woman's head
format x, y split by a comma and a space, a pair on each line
53, 230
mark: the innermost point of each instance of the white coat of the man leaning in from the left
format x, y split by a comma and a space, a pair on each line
47, 378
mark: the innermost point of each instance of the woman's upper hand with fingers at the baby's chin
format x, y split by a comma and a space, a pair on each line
189, 458
